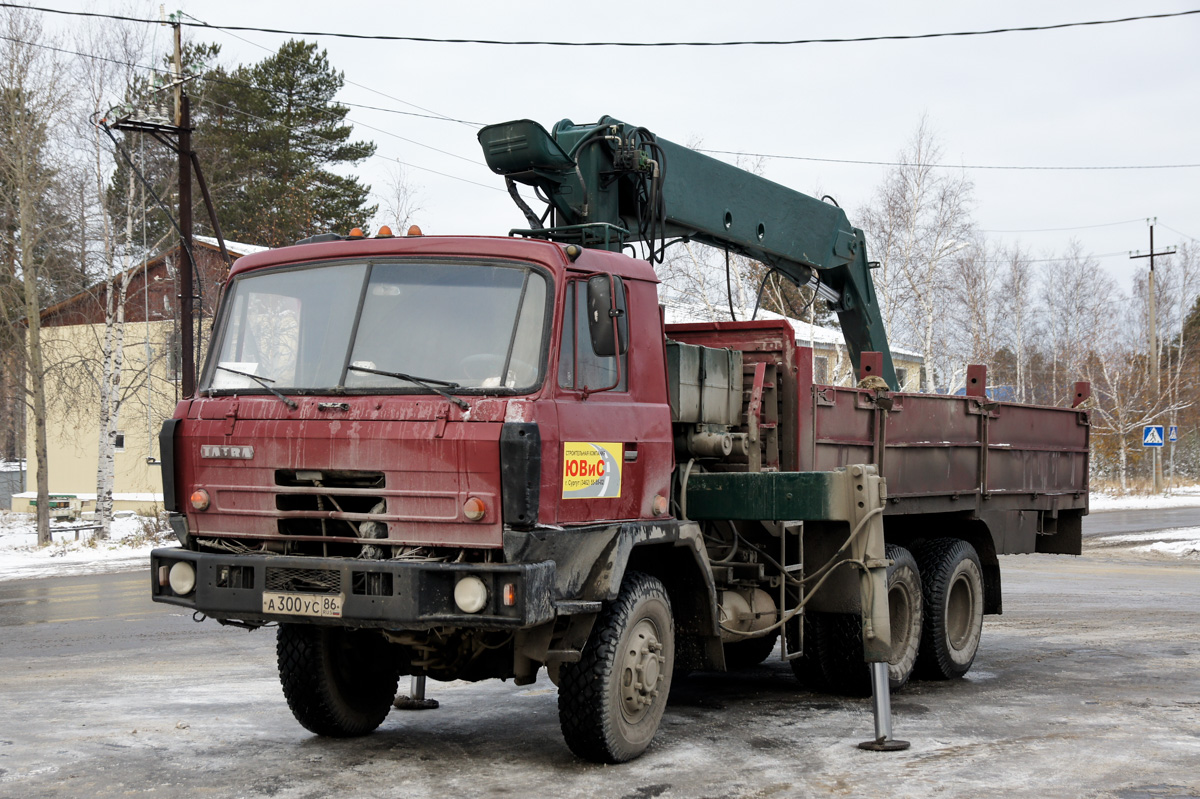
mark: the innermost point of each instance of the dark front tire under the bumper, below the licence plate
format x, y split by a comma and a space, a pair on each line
339, 683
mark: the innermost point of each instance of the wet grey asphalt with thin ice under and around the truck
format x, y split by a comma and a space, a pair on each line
1088, 687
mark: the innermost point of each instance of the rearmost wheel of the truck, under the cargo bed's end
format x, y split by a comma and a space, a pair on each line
952, 586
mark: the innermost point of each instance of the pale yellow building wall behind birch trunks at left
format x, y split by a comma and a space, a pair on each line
73, 428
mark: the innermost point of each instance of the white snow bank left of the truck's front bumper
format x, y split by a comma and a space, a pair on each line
75, 549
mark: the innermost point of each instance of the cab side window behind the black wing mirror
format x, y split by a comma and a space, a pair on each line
581, 364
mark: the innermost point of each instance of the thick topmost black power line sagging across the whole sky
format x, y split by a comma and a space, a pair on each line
430, 40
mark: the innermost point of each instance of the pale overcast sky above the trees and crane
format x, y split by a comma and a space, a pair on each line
1112, 95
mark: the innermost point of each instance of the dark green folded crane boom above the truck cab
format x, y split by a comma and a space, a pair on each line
611, 183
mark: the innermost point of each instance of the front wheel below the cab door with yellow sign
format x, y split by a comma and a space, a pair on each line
610, 704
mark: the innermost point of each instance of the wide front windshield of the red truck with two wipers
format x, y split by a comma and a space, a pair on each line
380, 326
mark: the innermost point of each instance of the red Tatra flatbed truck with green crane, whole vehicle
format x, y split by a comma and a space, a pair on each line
483, 458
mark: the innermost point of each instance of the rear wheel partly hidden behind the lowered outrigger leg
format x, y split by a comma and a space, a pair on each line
837, 639
